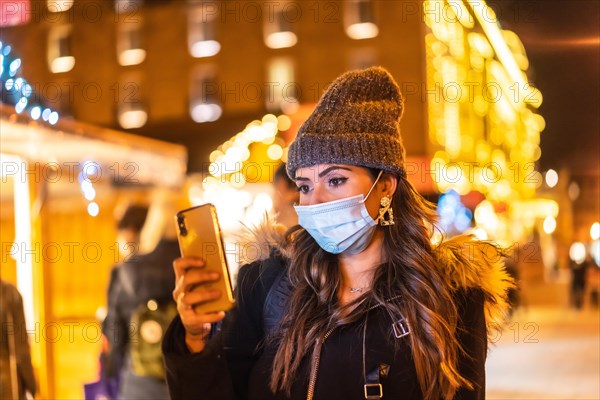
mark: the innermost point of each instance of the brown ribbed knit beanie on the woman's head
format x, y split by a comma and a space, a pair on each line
356, 122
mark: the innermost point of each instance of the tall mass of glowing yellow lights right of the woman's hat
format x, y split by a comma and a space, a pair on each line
483, 124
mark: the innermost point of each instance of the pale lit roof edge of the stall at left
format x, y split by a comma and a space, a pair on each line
155, 162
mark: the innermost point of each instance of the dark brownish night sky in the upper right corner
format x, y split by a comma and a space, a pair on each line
562, 41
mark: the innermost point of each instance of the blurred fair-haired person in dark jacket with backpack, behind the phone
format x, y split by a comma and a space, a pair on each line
140, 305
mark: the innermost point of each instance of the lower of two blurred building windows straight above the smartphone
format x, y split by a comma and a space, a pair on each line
204, 94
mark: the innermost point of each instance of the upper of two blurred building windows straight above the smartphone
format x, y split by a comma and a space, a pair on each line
202, 26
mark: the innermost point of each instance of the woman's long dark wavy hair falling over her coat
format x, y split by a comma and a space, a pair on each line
409, 270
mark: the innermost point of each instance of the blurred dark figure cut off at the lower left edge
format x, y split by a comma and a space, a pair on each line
17, 380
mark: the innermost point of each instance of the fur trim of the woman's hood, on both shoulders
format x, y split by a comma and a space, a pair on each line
464, 260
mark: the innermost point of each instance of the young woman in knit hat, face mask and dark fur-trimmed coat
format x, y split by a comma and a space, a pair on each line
369, 308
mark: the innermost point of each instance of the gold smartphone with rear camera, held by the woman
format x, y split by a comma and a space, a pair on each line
199, 235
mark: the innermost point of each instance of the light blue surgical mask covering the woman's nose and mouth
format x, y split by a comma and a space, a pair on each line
339, 226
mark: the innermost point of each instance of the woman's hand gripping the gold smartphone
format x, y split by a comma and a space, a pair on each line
190, 290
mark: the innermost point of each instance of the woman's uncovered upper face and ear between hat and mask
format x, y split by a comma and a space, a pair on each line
328, 182
